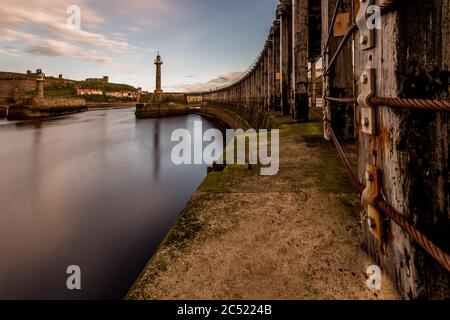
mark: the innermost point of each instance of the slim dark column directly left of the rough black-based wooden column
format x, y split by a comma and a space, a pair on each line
284, 14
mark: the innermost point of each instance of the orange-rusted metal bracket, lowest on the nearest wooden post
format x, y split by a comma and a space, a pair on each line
369, 198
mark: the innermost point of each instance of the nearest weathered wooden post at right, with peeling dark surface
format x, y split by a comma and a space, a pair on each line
411, 59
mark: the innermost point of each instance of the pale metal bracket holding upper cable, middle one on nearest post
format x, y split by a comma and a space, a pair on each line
367, 85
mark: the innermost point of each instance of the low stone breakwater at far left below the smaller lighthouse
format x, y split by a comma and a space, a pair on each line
45, 107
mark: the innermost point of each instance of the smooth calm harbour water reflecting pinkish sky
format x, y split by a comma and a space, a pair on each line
97, 190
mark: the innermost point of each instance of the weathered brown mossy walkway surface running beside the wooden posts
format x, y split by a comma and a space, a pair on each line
295, 235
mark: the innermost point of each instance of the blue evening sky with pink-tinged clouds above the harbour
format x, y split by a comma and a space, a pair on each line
203, 43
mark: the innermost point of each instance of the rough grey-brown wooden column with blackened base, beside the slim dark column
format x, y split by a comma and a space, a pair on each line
300, 58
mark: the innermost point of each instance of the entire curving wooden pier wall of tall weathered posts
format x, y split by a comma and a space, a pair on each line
408, 58
